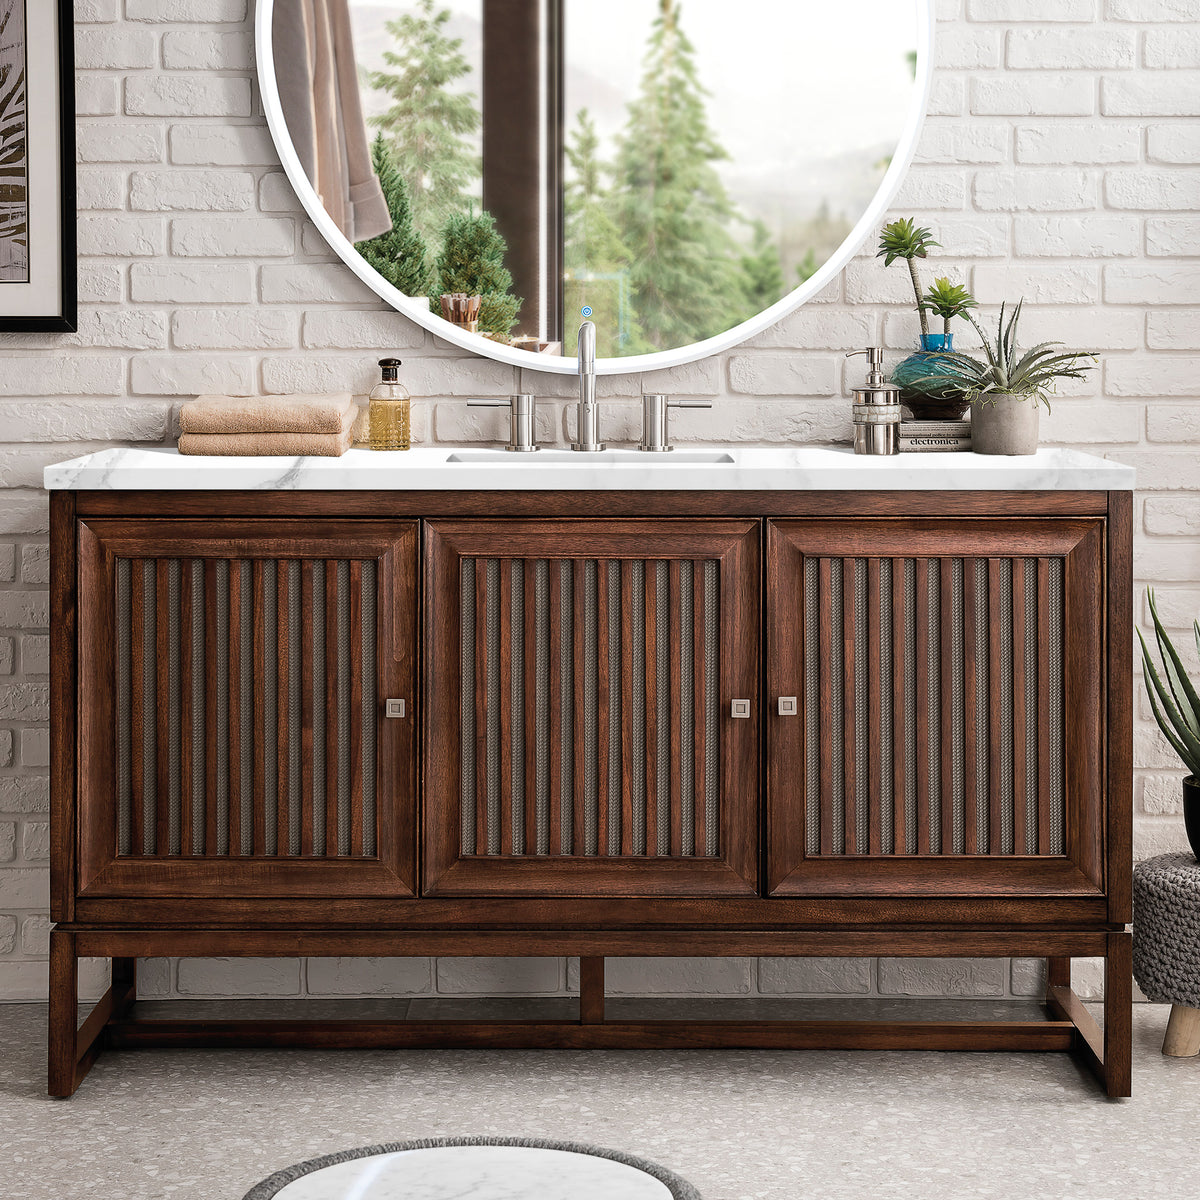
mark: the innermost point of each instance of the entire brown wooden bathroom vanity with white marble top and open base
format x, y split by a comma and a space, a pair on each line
758, 703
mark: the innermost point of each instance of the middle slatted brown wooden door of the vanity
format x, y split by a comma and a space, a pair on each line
579, 688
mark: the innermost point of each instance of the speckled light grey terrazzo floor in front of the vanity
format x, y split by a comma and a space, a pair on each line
836, 1126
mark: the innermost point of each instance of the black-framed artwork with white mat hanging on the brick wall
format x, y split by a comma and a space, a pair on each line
38, 173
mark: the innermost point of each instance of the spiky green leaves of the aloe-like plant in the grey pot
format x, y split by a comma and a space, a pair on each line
1007, 371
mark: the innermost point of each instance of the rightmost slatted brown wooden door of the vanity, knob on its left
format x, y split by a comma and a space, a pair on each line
947, 736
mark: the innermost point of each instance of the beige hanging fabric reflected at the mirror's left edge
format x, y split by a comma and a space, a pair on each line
319, 86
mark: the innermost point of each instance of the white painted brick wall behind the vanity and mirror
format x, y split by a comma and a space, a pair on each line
1060, 161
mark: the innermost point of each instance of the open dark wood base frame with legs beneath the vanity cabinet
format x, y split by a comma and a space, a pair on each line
1069, 1028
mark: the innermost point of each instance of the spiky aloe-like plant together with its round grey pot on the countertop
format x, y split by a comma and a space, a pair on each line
1009, 388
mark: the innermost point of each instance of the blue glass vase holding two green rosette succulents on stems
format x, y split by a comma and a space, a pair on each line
917, 376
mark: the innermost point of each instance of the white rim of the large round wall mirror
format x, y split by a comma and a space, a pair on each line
557, 364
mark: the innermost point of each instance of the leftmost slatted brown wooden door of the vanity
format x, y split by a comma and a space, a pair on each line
233, 680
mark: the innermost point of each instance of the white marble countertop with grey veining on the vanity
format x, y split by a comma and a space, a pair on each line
737, 469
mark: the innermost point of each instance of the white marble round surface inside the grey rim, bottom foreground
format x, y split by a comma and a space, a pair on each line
478, 1173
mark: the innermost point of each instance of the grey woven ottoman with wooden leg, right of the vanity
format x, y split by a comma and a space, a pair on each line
1167, 945
